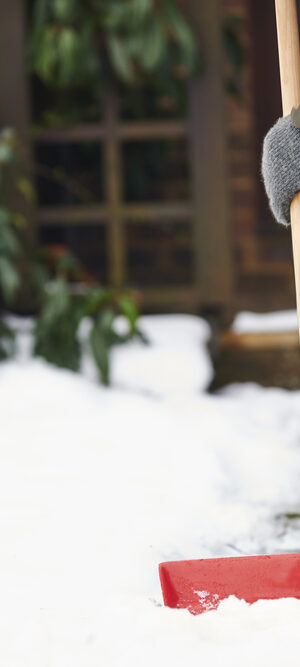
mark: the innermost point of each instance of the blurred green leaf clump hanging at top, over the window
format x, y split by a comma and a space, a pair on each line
75, 43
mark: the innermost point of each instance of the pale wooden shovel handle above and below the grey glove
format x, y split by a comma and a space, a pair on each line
289, 62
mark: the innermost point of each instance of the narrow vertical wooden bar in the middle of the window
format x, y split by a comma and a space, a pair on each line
113, 176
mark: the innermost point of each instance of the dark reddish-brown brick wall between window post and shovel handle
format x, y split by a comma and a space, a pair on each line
262, 249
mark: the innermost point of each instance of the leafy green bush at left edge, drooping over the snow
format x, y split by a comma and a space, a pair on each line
60, 303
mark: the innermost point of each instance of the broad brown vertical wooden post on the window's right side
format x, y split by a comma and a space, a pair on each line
212, 236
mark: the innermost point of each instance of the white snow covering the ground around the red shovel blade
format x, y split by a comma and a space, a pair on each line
97, 486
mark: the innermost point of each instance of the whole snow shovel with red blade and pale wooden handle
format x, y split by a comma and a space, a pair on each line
200, 585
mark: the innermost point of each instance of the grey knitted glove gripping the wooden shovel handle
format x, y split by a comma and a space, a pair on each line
281, 165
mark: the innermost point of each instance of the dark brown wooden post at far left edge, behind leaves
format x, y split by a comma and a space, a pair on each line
14, 106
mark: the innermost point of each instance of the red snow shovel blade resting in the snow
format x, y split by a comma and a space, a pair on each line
200, 585
